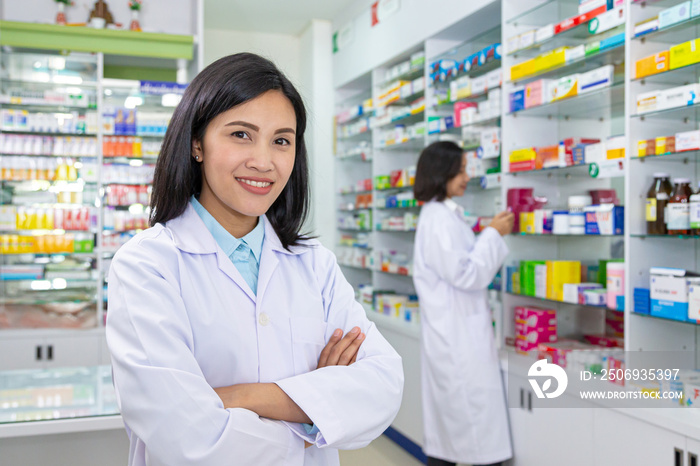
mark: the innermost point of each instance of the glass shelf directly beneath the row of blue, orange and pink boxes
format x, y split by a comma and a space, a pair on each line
603, 103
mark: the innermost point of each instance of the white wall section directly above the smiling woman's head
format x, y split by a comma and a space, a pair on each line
282, 49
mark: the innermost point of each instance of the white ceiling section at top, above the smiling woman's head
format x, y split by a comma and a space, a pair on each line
270, 16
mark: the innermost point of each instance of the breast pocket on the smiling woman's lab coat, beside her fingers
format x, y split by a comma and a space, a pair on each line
308, 339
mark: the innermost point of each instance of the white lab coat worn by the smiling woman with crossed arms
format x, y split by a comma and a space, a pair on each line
182, 320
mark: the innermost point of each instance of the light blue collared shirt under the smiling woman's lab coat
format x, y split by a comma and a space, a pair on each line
244, 252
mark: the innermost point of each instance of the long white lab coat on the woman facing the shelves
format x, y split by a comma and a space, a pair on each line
464, 407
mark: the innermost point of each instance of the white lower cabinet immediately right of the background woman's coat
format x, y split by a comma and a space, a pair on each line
546, 436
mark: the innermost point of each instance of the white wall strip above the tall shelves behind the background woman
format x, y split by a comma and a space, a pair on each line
415, 21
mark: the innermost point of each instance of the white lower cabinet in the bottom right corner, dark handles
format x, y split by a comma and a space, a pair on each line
621, 439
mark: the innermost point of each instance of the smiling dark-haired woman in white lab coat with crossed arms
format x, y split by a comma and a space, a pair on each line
225, 324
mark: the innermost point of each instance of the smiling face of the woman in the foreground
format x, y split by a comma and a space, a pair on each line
247, 156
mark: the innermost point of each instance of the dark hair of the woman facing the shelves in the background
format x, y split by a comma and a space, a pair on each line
438, 163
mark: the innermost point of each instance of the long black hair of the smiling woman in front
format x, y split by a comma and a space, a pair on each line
226, 83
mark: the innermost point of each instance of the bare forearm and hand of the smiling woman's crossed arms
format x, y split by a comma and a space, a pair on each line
270, 401
